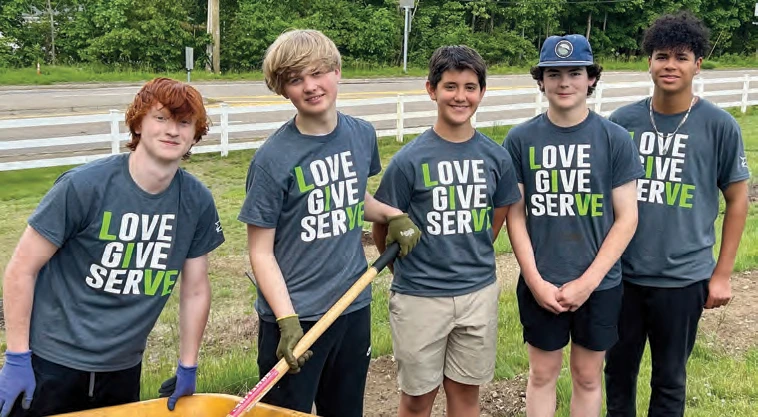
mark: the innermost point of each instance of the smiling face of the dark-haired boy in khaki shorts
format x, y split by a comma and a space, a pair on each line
458, 95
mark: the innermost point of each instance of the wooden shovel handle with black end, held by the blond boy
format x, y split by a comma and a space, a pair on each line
281, 368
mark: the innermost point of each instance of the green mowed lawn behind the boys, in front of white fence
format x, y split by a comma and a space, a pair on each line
718, 384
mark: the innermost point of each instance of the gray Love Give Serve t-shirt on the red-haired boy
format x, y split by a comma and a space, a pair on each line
121, 251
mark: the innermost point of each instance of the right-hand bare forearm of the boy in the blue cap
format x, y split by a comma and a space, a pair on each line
613, 247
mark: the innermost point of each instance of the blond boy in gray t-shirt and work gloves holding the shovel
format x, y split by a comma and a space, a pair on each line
305, 206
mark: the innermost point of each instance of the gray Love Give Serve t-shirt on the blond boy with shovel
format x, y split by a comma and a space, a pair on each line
311, 190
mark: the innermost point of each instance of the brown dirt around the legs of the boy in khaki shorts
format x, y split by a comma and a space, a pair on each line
498, 398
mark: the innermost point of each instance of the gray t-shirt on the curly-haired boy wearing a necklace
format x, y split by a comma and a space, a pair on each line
679, 195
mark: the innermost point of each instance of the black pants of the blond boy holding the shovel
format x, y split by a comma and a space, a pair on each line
334, 378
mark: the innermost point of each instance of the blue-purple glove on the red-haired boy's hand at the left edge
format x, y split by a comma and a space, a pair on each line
16, 377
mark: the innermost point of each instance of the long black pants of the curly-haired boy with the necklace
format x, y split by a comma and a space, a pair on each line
668, 318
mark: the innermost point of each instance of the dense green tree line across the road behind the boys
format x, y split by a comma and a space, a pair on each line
152, 34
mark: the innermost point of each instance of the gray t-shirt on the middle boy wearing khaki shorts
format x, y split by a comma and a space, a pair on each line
449, 190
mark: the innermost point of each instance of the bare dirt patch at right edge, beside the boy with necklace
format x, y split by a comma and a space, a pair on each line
734, 328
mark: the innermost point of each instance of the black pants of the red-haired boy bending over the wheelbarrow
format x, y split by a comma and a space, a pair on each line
64, 390
